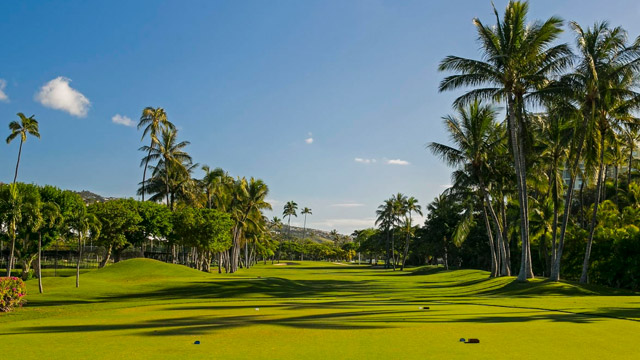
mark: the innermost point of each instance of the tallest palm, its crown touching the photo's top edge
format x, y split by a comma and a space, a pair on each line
518, 59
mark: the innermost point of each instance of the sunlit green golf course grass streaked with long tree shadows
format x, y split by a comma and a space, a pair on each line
309, 310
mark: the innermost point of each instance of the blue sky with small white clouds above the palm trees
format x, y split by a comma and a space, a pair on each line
331, 103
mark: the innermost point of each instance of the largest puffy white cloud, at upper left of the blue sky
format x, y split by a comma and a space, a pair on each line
57, 94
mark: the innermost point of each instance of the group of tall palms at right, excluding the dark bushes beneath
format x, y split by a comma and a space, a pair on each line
569, 117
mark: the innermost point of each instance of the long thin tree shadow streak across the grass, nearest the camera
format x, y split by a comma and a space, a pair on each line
348, 320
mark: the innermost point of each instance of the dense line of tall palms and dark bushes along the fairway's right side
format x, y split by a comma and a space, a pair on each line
550, 183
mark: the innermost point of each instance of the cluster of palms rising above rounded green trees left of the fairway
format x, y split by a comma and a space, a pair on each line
172, 182
